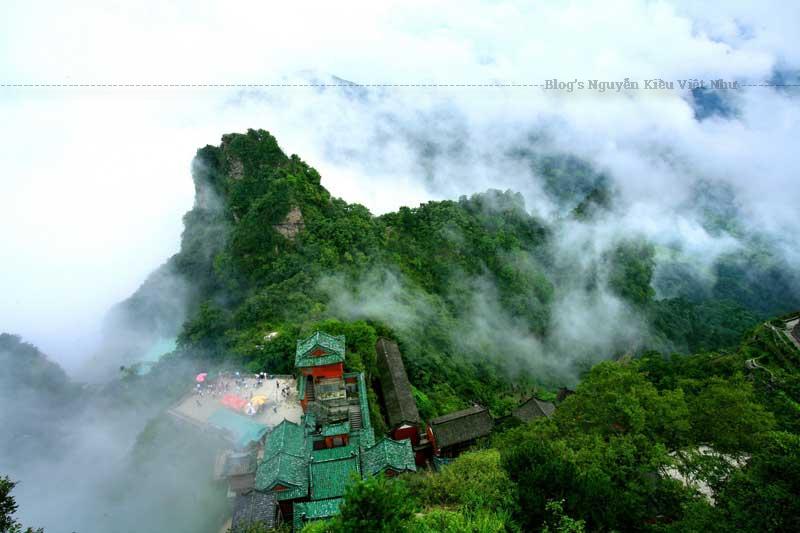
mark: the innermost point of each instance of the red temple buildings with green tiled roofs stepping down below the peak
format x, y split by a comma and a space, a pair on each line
304, 467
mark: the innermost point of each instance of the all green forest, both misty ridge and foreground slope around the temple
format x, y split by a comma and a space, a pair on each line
679, 371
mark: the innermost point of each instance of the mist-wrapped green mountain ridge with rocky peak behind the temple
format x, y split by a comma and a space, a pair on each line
475, 289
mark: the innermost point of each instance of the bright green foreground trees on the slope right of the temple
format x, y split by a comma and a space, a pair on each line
613, 456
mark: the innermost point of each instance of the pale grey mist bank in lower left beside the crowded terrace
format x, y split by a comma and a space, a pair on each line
104, 457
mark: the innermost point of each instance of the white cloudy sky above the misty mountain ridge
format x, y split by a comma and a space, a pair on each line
95, 180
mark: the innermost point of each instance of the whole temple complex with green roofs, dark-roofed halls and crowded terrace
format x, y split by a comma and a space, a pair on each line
292, 460
